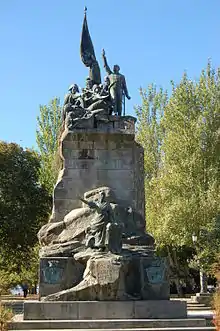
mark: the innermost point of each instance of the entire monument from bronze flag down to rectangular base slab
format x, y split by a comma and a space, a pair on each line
95, 253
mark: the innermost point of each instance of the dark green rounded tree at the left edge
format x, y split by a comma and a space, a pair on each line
24, 203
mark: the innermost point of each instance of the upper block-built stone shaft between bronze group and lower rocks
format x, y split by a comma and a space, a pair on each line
107, 155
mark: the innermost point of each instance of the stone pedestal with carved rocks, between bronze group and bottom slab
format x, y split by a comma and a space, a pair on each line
106, 159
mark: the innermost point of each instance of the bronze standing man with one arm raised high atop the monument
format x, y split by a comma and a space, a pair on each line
117, 87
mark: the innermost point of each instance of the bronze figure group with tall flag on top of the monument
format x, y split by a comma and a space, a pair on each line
96, 98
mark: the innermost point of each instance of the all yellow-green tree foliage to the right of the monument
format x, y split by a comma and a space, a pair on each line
181, 137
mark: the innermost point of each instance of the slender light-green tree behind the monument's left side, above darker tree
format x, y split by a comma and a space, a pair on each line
47, 136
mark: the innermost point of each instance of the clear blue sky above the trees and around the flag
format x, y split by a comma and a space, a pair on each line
152, 41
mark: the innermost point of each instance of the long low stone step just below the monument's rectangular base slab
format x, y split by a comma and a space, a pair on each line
108, 324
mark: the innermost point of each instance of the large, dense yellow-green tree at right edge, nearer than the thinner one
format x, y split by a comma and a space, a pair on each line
187, 186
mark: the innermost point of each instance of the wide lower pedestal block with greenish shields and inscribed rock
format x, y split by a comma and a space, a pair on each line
134, 274
